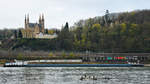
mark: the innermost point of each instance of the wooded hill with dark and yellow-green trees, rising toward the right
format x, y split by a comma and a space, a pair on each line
116, 32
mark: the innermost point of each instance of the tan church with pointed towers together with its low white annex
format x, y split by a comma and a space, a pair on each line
36, 30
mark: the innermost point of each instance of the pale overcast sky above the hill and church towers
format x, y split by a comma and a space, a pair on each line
58, 12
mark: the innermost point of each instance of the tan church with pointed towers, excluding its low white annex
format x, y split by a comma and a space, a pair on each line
33, 29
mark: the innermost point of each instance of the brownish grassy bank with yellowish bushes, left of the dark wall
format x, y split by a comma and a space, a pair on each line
37, 55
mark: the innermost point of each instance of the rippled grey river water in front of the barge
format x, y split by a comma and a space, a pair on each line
72, 75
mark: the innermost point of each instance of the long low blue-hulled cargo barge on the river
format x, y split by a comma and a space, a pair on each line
72, 65
